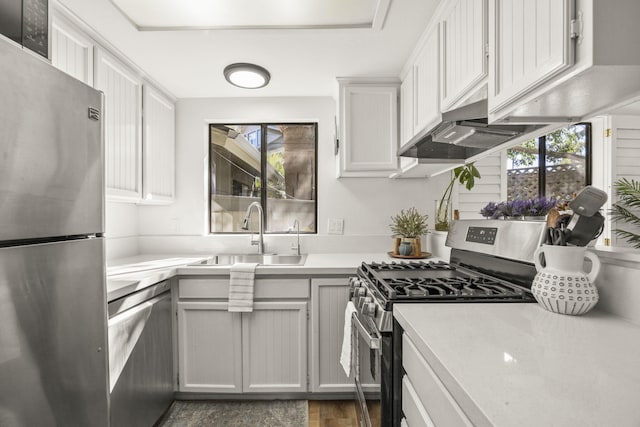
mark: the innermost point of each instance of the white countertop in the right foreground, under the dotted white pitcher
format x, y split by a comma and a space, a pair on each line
519, 365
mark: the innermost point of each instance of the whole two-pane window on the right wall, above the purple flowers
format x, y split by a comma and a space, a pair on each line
556, 165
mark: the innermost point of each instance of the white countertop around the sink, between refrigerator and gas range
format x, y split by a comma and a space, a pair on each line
127, 275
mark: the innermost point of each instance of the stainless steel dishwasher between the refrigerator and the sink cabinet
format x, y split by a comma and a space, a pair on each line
140, 356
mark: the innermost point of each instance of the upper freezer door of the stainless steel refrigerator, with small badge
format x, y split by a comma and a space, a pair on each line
51, 151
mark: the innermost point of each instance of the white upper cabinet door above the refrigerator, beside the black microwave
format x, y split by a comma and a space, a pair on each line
71, 51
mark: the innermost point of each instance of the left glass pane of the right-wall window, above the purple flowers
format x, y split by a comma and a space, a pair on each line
522, 171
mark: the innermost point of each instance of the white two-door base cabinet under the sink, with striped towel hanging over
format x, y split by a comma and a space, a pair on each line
261, 351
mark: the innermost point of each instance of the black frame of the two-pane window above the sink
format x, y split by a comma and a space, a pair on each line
263, 173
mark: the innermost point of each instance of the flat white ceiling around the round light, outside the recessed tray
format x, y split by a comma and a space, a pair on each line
302, 62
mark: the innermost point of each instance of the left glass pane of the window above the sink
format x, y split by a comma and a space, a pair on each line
234, 174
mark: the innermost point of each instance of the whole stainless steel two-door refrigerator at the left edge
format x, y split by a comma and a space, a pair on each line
53, 355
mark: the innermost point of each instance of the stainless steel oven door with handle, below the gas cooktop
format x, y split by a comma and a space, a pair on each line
366, 359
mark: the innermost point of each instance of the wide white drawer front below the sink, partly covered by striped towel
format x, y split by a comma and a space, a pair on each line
263, 288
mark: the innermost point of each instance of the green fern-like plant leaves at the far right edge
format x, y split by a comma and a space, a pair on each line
626, 209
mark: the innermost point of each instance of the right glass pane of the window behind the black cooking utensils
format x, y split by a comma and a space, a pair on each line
565, 162
